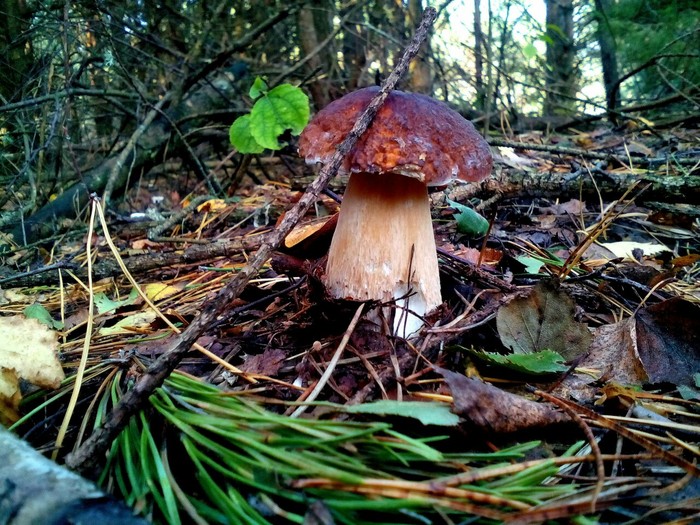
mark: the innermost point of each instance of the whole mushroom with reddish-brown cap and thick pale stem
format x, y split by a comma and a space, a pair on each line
383, 248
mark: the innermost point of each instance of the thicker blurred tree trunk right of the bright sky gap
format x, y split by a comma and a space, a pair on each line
560, 79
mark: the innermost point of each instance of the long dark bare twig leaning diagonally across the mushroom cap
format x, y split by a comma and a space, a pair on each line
97, 444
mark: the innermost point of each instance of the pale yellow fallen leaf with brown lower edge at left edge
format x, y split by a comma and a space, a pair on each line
27, 351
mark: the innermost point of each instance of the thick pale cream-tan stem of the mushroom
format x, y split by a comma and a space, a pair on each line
383, 248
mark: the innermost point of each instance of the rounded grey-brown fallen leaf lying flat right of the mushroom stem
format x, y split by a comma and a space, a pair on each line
543, 320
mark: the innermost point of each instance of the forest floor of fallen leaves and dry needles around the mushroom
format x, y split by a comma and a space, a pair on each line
573, 322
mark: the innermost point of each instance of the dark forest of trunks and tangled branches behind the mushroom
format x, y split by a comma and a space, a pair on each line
101, 96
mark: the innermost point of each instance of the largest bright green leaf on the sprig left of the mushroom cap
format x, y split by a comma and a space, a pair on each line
283, 108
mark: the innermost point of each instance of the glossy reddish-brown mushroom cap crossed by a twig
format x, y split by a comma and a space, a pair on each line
412, 134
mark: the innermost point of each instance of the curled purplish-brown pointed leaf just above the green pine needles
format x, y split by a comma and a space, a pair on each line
495, 411
